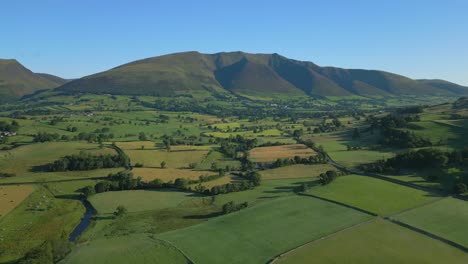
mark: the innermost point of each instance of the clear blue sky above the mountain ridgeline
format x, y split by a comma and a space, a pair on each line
419, 39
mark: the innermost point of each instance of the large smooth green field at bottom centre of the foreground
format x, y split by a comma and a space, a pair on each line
257, 234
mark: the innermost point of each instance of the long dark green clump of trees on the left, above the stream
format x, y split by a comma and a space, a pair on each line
86, 161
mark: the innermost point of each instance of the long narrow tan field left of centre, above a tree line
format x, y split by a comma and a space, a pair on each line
168, 174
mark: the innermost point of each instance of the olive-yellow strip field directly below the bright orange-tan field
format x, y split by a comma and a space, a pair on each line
296, 171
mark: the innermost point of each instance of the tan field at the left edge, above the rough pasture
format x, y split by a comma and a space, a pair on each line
11, 196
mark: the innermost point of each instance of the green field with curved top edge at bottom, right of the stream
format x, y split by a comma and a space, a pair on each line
127, 249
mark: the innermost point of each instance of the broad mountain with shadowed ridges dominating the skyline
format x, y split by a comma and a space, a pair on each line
253, 75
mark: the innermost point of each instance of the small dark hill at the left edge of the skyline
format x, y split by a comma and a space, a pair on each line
17, 81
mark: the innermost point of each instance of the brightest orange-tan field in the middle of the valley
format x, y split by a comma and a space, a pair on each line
270, 154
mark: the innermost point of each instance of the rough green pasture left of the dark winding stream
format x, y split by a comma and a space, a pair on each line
38, 218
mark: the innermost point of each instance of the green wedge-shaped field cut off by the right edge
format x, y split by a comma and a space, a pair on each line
446, 218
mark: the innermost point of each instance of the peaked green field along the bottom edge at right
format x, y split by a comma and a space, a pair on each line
376, 242
